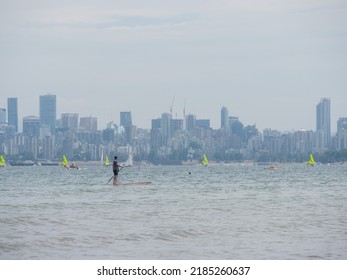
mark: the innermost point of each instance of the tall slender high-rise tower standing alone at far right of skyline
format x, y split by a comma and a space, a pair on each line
323, 120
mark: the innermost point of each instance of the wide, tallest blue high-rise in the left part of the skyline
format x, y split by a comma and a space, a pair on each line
48, 111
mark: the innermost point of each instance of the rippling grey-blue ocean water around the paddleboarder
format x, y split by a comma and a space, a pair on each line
236, 211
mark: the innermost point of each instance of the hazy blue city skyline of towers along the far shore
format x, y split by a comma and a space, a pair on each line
172, 139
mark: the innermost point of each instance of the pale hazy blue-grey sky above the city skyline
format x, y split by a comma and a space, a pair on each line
269, 62
